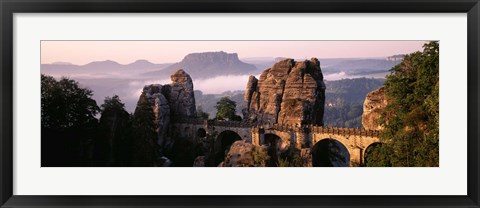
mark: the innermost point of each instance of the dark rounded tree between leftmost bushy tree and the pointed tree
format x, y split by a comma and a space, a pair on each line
113, 146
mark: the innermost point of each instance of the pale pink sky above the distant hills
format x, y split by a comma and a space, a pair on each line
124, 52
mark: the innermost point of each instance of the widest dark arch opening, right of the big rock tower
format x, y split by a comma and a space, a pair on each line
329, 152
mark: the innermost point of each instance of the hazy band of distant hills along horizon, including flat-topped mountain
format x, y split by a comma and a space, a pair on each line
212, 64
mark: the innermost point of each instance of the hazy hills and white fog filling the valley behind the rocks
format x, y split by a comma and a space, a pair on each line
212, 73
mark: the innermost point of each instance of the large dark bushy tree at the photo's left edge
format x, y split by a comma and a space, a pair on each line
68, 122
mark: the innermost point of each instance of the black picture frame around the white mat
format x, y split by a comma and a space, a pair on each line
10, 7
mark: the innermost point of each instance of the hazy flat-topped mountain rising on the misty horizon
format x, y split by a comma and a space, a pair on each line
208, 64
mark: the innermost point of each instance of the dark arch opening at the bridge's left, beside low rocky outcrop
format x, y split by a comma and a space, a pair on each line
222, 144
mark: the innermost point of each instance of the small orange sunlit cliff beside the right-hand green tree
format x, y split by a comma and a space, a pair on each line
374, 105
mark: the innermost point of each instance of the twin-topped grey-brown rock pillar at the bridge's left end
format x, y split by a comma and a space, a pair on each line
173, 101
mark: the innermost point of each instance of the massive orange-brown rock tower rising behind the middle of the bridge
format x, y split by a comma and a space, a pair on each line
288, 93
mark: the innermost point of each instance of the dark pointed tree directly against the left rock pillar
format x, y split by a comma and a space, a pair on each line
144, 134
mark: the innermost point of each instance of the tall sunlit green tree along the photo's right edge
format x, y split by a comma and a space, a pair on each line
411, 133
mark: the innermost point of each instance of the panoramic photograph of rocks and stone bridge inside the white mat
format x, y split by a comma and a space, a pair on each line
199, 103
